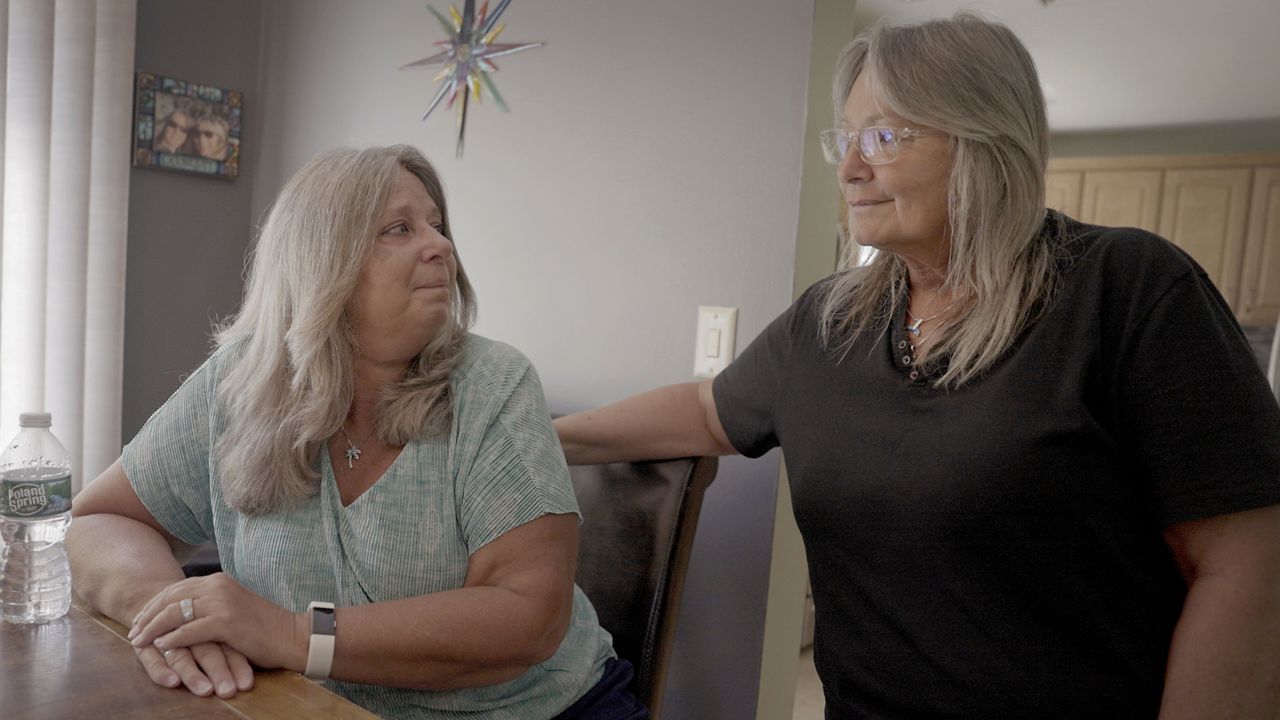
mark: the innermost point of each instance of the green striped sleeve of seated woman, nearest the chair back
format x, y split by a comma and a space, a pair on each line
518, 473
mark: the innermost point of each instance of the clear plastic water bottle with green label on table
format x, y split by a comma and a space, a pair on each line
35, 512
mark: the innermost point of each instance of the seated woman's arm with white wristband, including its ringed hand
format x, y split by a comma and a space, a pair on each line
511, 614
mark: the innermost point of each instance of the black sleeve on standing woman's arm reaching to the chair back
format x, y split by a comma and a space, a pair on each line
747, 391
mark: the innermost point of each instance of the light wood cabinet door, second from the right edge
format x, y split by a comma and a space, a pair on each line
1204, 211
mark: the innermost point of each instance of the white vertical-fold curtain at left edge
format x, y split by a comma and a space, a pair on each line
67, 112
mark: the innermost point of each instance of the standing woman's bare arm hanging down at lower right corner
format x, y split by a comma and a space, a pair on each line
1226, 655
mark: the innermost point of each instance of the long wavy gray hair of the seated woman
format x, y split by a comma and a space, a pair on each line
291, 384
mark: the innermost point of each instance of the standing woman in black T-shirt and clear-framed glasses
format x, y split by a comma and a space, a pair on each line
1035, 463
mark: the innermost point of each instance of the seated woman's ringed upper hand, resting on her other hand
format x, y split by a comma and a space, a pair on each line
222, 610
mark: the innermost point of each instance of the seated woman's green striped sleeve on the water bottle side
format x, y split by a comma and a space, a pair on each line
168, 461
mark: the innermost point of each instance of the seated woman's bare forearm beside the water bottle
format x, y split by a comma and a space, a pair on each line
120, 564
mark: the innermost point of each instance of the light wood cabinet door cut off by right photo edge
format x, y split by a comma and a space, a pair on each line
1260, 286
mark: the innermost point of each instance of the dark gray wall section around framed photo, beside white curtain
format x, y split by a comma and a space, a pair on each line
188, 234
